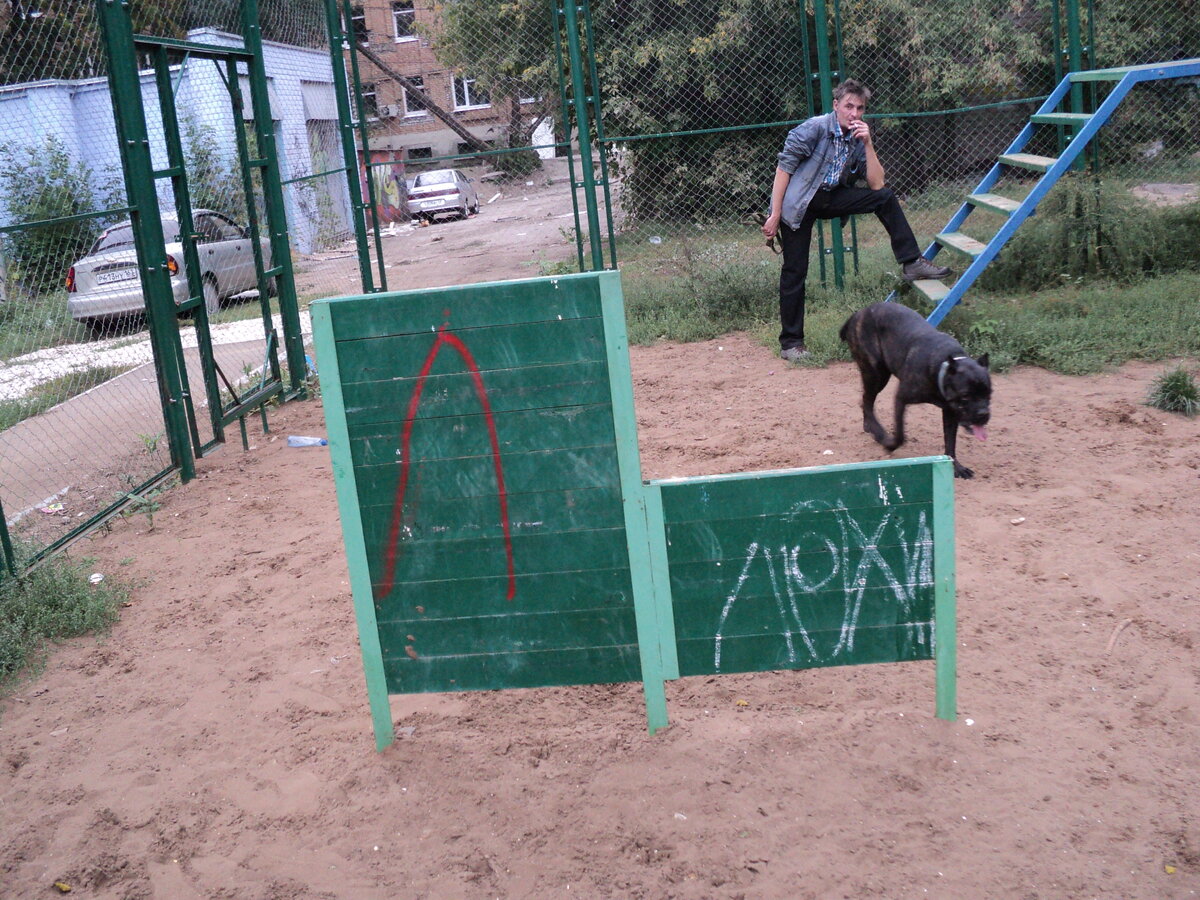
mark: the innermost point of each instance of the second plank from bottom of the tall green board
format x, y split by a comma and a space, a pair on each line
517, 632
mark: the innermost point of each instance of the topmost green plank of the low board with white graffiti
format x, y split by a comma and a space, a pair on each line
796, 493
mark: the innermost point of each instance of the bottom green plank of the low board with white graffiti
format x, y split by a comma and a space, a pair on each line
776, 652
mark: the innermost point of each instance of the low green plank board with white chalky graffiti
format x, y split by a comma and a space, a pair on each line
806, 568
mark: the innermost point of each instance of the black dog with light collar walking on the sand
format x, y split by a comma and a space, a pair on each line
892, 340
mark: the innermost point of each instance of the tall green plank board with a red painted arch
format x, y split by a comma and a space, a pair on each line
475, 435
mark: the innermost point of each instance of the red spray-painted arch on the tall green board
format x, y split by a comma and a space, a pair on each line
445, 339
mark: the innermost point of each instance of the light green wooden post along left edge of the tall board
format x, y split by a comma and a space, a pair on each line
352, 525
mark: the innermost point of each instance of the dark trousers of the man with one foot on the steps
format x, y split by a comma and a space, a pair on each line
837, 203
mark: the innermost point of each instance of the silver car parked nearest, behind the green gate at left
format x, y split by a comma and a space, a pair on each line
105, 286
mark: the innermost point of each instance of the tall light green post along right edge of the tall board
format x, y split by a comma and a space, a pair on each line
651, 637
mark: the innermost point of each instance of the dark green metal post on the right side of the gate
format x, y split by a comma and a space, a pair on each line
277, 217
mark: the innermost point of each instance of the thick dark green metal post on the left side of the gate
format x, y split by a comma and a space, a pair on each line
117, 32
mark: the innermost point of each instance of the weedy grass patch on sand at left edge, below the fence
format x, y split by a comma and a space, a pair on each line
52, 603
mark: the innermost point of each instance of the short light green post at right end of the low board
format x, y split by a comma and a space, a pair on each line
945, 625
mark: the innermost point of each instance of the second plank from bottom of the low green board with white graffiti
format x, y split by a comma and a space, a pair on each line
747, 614
